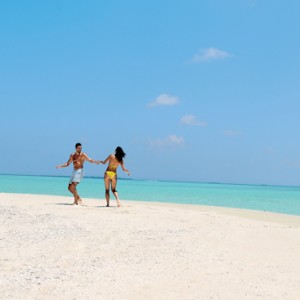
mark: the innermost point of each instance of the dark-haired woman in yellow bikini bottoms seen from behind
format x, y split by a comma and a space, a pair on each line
110, 175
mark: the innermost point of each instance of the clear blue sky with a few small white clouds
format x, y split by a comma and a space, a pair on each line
192, 90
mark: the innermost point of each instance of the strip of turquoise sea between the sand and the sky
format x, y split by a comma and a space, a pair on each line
279, 199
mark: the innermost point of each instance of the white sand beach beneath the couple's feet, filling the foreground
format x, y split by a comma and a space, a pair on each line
52, 250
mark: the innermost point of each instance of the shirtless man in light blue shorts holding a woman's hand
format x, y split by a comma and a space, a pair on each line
78, 158
